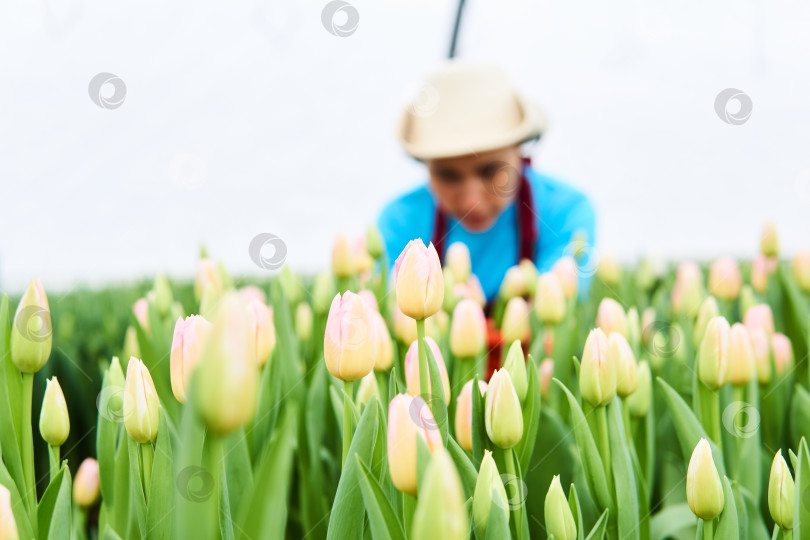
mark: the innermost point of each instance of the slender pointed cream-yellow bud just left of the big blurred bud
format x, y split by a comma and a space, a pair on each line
141, 404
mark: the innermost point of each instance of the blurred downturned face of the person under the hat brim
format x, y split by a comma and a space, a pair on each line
475, 188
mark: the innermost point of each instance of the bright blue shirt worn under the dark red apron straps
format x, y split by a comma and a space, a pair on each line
560, 210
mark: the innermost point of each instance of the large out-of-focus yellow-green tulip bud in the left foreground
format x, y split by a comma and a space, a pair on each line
227, 380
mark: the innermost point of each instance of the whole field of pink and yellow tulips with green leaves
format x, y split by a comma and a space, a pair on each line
385, 399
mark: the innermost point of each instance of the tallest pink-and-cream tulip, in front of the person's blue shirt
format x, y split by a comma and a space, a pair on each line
419, 280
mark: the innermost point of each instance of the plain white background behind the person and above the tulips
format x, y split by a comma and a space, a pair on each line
249, 117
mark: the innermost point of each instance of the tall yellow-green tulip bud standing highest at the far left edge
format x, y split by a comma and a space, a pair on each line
32, 330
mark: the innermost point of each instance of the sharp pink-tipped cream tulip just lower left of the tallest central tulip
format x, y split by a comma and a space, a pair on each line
350, 343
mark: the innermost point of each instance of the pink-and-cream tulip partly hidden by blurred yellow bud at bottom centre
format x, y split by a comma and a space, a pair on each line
408, 418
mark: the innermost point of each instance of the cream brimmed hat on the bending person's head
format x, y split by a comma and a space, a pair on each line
467, 107
